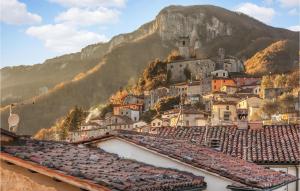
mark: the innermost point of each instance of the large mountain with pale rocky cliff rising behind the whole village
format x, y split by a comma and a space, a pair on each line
119, 62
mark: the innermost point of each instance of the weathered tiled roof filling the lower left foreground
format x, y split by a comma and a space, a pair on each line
99, 167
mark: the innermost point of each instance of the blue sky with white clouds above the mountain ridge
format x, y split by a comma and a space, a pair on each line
34, 30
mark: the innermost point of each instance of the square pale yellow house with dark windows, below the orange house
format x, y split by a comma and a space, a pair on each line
223, 113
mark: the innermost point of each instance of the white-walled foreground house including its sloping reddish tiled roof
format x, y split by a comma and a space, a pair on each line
221, 172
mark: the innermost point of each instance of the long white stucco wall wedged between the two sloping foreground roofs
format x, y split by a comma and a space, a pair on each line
131, 151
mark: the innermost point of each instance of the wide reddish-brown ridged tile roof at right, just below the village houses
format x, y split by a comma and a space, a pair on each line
269, 145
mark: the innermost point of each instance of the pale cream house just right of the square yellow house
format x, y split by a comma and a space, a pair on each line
252, 104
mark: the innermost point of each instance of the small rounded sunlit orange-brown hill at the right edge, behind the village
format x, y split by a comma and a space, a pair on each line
279, 57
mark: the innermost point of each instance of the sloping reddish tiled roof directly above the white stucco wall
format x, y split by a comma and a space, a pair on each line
243, 173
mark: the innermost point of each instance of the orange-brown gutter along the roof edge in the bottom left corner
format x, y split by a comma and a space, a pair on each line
77, 182
